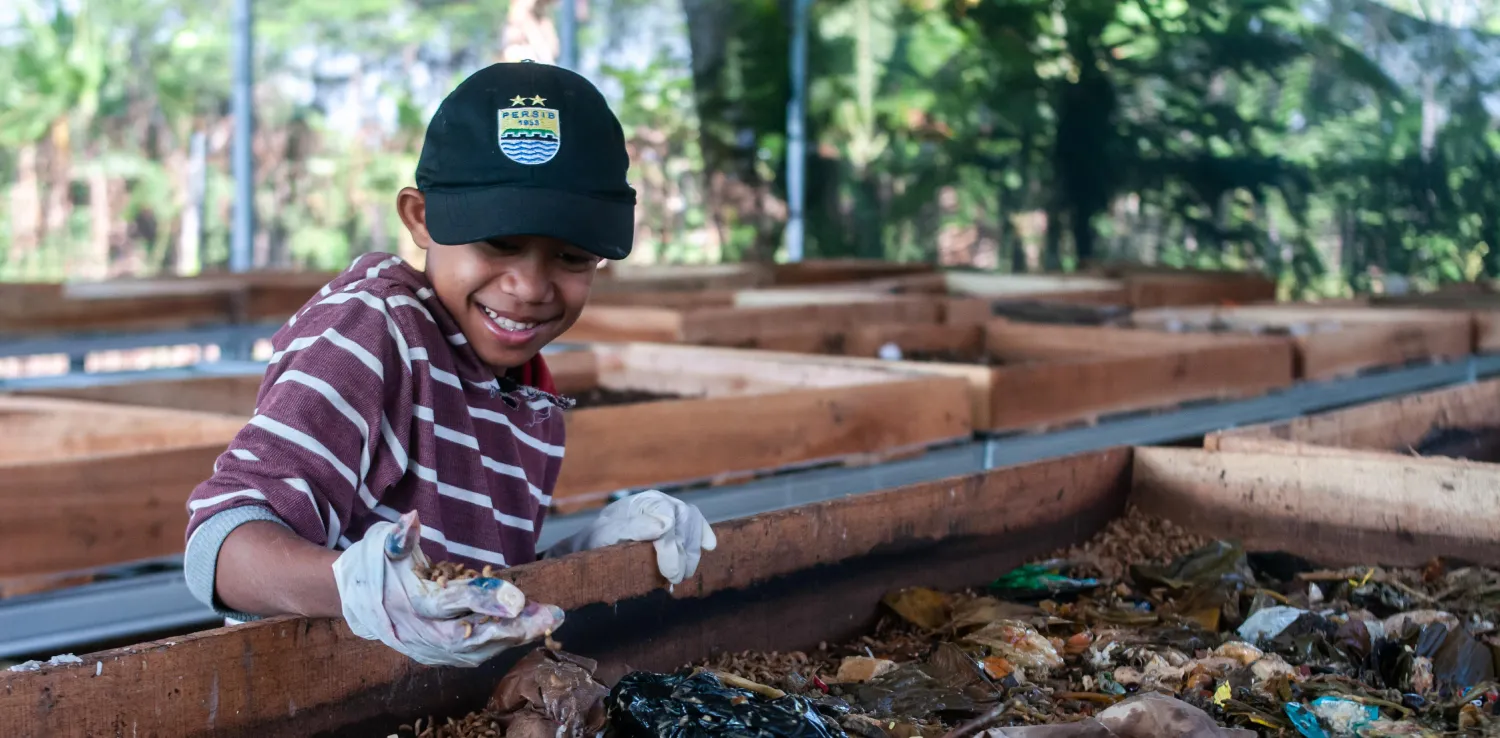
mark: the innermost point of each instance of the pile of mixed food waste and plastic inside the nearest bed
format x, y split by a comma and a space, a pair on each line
1145, 631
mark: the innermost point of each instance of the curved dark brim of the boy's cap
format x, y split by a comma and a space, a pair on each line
601, 227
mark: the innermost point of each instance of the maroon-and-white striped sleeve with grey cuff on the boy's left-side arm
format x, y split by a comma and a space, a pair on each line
331, 433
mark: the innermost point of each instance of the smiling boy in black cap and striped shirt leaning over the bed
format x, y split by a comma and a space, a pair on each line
406, 406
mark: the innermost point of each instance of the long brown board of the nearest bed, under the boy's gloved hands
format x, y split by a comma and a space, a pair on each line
299, 677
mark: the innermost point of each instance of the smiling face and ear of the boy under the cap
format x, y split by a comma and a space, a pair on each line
511, 296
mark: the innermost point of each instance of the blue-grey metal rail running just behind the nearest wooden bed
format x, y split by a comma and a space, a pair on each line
73, 619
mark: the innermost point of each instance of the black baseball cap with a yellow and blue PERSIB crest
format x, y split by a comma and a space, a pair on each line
527, 149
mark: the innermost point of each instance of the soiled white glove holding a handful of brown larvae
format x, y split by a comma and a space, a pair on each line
463, 623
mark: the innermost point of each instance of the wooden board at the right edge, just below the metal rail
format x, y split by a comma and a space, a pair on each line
1393, 425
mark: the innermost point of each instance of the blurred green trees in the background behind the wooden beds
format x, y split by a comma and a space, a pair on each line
1333, 143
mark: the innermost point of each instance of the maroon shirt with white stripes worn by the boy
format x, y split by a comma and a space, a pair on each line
374, 404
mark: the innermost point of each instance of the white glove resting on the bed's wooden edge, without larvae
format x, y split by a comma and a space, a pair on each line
677, 529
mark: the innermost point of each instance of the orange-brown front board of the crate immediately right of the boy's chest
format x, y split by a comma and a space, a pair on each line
656, 443
